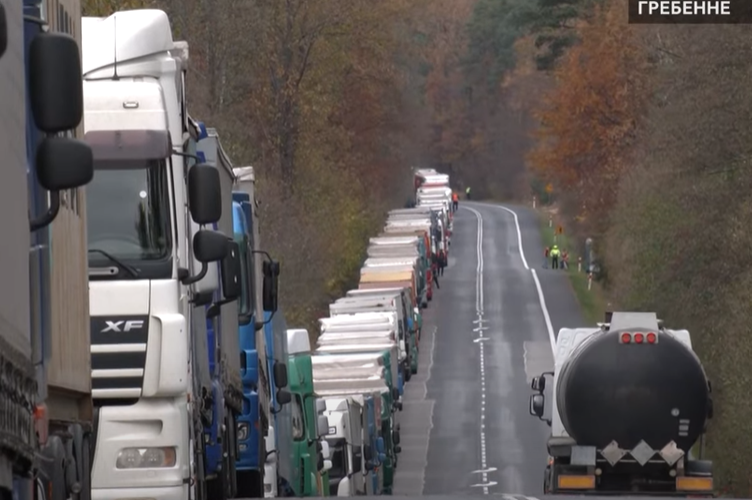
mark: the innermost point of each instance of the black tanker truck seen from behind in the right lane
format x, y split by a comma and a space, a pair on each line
630, 401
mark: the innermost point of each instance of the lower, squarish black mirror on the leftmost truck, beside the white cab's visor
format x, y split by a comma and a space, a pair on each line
64, 163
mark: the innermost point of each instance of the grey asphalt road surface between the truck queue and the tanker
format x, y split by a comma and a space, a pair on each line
465, 426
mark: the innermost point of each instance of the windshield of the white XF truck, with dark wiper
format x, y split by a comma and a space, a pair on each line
128, 211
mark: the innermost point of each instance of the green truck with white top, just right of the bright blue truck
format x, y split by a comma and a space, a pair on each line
300, 383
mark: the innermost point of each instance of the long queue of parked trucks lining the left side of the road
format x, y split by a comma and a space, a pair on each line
143, 354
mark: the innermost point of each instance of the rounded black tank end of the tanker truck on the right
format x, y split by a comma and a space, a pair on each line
633, 384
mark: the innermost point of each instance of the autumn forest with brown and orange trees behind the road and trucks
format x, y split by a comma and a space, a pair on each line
641, 130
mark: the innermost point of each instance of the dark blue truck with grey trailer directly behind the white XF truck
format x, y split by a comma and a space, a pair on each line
223, 317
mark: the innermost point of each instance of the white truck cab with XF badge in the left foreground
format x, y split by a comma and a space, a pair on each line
149, 252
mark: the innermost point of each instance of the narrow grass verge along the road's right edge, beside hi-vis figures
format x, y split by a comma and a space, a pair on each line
593, 302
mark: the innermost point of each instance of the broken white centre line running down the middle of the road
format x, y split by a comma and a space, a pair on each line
480, 340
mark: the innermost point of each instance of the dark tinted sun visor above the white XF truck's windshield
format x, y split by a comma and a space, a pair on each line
129, 145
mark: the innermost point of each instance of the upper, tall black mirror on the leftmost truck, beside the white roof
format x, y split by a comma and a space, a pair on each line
56, 88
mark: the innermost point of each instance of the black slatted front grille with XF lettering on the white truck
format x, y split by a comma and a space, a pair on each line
118, 356
